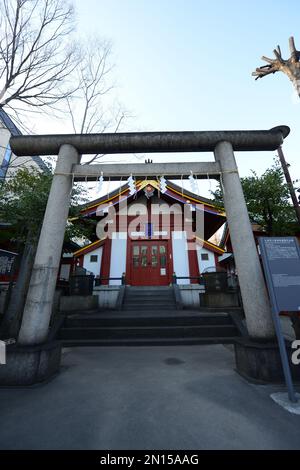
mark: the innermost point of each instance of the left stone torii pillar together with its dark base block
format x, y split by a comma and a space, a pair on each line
34, 360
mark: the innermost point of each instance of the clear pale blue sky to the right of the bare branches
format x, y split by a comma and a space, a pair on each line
186, 65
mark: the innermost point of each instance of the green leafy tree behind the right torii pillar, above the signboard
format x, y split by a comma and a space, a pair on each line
268, 201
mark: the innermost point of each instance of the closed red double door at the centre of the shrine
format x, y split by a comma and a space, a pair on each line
149, 263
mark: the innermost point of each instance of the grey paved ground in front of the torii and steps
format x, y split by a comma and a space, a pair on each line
184, 397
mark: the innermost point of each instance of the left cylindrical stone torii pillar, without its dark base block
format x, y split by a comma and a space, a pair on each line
38, 306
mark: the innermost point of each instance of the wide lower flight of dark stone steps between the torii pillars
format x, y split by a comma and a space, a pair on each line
141, 330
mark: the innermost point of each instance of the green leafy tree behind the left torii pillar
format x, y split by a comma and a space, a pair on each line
23, 200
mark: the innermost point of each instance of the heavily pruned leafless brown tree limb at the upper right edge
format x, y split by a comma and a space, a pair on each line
291, 66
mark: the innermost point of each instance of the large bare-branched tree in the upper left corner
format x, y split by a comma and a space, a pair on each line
37, 55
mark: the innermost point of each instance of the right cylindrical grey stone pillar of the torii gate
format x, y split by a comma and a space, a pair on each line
255, 298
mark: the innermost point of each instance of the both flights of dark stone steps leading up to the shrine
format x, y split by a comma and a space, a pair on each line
149, 317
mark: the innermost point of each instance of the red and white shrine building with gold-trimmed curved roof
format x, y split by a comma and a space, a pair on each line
146, 236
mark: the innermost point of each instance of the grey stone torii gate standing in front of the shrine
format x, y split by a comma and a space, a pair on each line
33, 359
